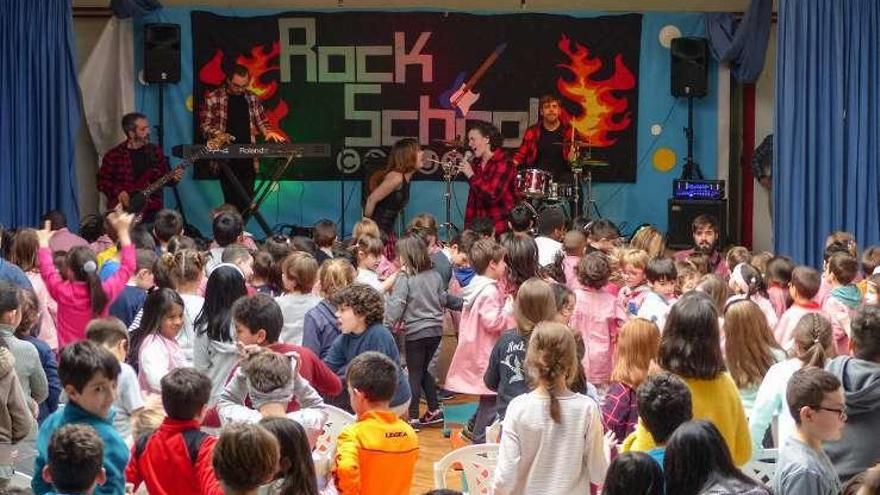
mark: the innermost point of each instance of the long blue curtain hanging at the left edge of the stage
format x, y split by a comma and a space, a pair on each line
39, 111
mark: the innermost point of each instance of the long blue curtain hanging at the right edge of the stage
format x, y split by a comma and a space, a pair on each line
827, 125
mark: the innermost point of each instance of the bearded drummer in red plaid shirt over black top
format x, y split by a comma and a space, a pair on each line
547, 144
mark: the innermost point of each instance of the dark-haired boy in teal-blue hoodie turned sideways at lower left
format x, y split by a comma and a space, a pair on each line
88, 374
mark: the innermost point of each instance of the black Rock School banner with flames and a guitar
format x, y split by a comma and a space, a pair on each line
360, 81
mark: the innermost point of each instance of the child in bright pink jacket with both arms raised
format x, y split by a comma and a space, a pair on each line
82, 296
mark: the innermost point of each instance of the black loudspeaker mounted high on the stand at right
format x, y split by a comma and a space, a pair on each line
690, 67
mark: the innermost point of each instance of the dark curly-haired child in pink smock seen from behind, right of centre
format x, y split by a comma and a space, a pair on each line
597, 316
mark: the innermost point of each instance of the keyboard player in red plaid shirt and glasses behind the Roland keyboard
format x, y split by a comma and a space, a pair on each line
234, 109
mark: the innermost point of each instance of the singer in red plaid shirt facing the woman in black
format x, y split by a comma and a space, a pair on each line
492, 177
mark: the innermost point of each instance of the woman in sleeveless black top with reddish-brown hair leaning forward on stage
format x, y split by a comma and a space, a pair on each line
389, 187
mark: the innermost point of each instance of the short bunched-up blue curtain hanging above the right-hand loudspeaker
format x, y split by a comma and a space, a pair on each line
742, 43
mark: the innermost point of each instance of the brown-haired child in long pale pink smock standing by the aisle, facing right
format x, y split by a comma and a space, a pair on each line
485, 316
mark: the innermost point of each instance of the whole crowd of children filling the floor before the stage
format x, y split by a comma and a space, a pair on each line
596, 363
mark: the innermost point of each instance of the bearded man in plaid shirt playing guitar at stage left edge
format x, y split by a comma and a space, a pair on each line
132, 165
